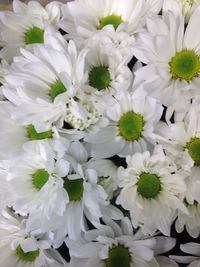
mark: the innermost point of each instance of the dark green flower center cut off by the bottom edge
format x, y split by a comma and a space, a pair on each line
118, 256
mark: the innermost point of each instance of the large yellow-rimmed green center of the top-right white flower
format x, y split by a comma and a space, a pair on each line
185, 65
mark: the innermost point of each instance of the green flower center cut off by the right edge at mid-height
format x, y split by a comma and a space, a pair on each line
193, 147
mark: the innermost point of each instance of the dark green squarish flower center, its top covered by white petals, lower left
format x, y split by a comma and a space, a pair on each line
74, 189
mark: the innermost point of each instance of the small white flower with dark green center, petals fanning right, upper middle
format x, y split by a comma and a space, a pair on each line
108, 73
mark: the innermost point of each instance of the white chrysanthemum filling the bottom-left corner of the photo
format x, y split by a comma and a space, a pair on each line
22, 249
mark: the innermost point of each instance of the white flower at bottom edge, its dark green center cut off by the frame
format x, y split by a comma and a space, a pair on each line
116, 244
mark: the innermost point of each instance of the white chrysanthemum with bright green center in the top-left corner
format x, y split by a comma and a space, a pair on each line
25, 26
